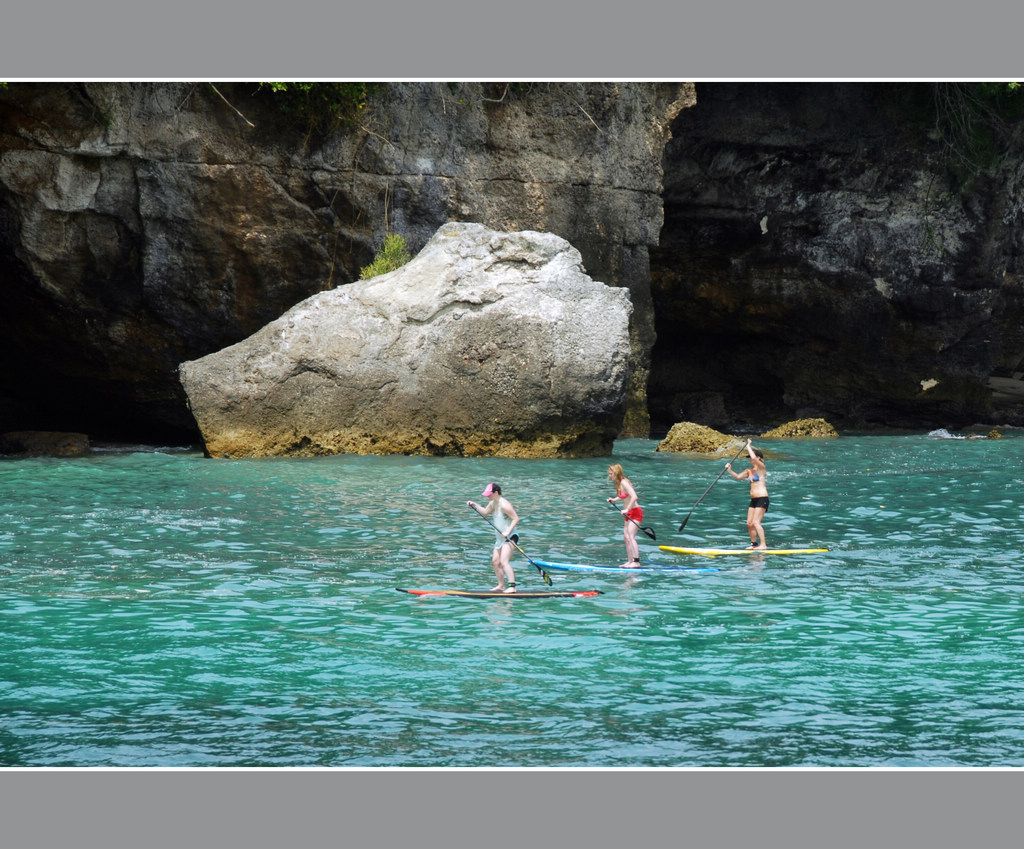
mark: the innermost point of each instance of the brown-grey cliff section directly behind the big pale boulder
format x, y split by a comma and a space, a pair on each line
146, 225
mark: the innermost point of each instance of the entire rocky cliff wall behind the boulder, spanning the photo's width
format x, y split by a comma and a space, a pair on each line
796, 250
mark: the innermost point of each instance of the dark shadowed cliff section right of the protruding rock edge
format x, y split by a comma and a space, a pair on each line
823, 256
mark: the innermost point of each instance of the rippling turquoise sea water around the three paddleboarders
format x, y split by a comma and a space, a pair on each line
162, 610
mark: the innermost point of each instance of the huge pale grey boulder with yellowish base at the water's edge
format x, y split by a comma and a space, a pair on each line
487, 344
